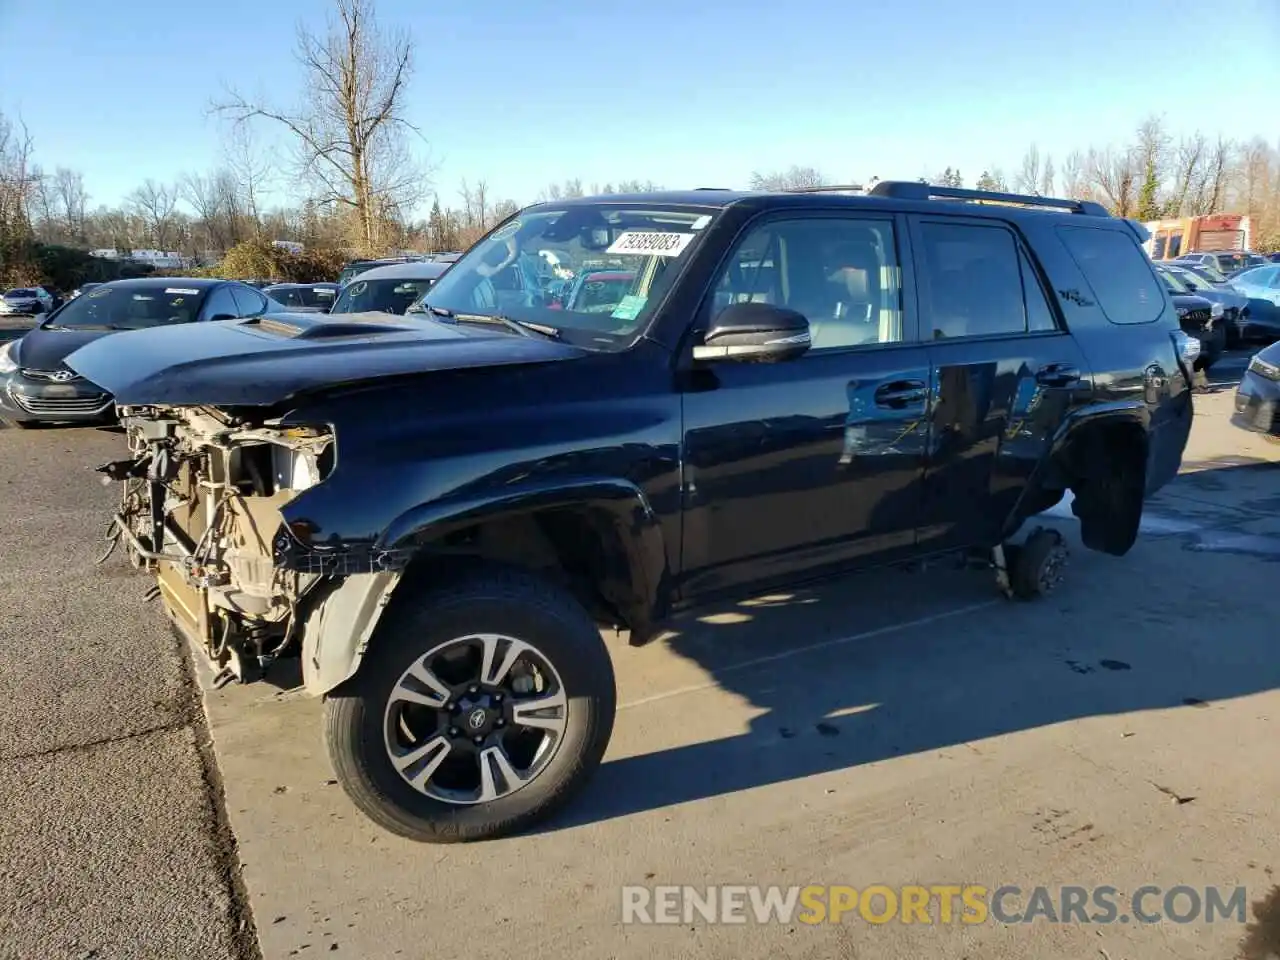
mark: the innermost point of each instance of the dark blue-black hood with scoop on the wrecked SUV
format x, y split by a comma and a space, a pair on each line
264, 362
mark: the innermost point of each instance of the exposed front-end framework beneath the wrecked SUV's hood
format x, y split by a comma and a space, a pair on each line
200, 506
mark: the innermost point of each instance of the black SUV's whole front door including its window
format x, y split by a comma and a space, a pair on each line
807, 467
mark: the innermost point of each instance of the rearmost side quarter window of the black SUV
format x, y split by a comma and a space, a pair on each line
1118, 272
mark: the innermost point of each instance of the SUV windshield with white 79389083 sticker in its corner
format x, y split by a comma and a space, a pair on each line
592, 271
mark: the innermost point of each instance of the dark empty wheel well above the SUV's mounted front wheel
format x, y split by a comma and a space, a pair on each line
577, 550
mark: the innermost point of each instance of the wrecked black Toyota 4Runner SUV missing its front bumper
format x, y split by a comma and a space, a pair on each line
438, 513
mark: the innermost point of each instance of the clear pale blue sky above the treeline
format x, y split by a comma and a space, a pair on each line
685, 94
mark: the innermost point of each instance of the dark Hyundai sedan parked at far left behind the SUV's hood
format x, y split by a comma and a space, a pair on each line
38, 387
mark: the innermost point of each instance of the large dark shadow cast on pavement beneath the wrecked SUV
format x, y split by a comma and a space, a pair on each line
835, 682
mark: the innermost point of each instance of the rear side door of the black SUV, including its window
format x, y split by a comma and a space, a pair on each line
1004, 374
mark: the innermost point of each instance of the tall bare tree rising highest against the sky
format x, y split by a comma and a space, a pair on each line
351, 130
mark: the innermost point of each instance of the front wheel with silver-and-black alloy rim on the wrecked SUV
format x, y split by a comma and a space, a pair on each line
479, 710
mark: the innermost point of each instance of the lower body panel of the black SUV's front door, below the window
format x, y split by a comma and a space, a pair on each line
798, 467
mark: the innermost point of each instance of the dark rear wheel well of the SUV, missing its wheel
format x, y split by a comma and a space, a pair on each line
1105, 467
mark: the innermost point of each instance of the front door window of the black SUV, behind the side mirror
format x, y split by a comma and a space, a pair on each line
843, 275
